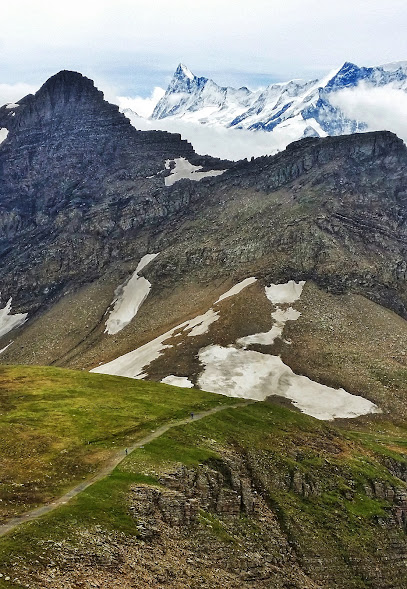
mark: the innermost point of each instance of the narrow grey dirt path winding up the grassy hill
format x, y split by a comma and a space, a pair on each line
13, 523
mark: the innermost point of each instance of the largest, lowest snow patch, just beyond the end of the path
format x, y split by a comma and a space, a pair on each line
252, 375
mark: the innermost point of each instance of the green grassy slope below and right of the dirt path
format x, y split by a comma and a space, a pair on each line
341, 533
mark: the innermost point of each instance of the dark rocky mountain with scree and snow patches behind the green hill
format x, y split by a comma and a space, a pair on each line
134, 240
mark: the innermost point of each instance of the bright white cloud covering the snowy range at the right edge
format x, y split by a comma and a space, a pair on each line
382, 108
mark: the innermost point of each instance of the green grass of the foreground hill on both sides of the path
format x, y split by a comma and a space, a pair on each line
317, 479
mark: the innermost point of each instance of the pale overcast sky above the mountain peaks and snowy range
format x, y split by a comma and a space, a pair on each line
131, 46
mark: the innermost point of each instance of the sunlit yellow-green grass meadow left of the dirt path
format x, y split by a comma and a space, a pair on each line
57, 426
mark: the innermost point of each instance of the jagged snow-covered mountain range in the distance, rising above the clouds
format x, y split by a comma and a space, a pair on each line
295, 109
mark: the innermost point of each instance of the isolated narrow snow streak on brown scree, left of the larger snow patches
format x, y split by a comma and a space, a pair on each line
129, 298
